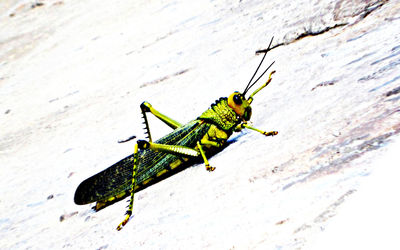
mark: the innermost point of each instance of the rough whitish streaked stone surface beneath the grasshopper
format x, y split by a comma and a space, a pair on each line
72, 77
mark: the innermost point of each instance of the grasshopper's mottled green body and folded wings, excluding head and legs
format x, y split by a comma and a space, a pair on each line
112, 184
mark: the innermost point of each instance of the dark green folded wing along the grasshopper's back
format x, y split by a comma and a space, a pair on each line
113, 183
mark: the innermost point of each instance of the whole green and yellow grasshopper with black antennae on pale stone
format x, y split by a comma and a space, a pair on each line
155, 161
